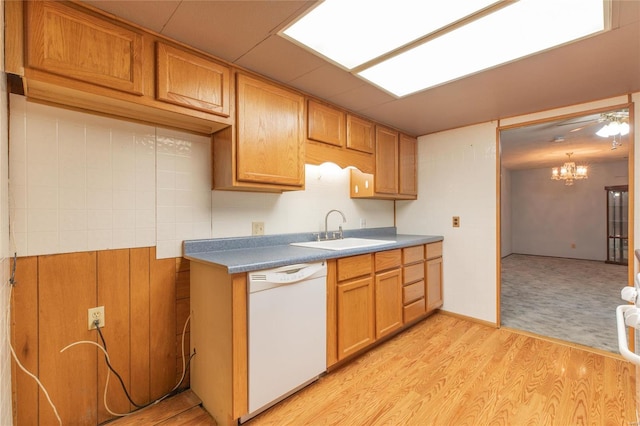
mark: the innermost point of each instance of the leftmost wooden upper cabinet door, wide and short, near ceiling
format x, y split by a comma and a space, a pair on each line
62, 40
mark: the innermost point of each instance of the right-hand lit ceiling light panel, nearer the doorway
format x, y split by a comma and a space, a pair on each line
513, 32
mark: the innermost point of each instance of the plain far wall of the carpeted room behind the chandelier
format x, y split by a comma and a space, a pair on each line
548, 216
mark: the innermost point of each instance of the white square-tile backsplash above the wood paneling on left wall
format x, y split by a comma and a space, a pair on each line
83, 182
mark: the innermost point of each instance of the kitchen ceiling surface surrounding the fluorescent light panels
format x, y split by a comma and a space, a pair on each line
245, 33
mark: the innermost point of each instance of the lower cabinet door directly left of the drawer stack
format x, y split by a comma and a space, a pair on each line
388, 302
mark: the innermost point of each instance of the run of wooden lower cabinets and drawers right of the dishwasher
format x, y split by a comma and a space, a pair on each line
374, 296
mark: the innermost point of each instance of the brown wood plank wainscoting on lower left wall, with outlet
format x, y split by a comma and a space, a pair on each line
146, 305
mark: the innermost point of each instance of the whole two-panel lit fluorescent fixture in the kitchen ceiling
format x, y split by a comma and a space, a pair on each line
512, 32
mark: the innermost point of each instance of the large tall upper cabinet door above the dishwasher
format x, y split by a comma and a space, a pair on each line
270, 139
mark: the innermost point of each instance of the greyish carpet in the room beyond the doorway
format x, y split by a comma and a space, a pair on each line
568, 299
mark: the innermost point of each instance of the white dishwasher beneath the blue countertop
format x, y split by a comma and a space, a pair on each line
287, 332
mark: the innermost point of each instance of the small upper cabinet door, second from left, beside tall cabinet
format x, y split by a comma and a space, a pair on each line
186, 79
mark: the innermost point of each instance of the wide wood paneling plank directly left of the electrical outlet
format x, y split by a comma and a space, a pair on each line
66, 289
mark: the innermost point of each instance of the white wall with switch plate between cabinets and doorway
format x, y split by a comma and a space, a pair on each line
457, 177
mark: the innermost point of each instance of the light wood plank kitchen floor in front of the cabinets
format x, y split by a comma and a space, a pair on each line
449, 371
